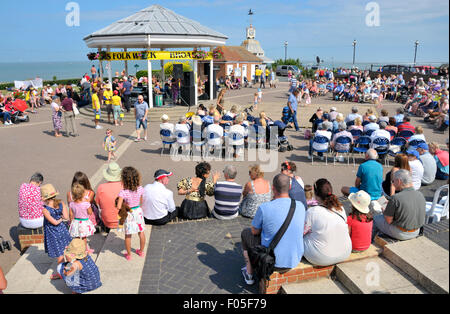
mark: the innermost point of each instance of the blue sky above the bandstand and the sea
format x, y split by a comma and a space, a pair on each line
36, 30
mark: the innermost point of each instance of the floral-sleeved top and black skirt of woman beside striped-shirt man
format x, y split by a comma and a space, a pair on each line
195, 206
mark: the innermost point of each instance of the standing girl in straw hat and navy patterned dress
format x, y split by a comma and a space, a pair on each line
56, 234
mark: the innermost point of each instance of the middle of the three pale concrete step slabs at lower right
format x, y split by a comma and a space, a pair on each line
375, 276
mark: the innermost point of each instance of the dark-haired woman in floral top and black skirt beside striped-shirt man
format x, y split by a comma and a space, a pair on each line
195, 190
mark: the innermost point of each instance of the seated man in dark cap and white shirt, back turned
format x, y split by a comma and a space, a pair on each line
158, 204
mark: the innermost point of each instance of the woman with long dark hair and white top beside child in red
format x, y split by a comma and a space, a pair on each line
326, 238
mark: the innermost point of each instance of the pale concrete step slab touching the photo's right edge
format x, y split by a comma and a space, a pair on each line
423, 260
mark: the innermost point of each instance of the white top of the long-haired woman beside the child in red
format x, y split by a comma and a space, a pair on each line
326, 240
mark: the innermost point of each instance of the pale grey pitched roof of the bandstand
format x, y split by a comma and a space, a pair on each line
166, 29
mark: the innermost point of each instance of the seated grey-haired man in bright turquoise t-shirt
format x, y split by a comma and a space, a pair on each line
369, 177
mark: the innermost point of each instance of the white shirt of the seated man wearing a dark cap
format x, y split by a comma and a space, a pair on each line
157, 201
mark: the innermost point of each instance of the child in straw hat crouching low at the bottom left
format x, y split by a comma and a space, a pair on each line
79, 271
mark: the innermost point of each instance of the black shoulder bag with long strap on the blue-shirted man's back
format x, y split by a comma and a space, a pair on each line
263, 258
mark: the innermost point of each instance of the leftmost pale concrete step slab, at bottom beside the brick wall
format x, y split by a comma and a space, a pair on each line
319, 286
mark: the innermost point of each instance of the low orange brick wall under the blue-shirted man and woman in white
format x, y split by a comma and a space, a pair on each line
306, 271
